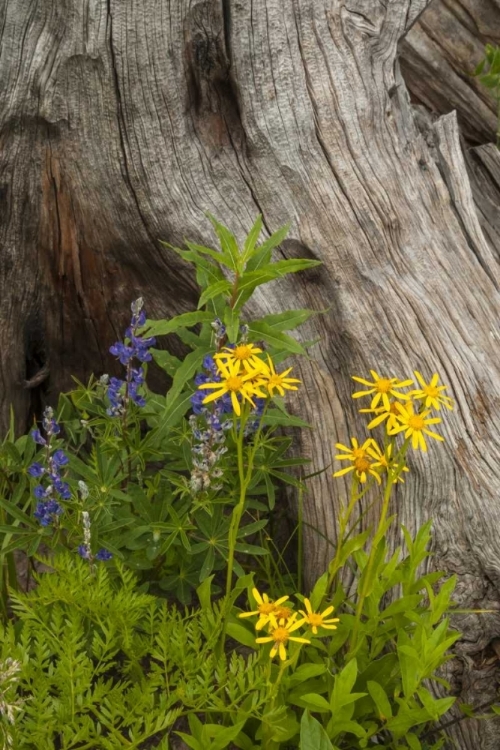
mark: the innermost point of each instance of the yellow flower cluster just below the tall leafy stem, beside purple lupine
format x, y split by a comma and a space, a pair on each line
245, 375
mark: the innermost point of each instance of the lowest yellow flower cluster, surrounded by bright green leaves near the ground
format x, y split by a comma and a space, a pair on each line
281, 621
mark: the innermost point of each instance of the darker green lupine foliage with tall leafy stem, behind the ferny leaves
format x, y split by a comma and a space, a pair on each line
147, 502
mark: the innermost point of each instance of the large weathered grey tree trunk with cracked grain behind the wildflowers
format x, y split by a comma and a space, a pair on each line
122, 121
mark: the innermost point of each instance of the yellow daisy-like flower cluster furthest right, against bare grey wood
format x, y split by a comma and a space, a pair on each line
400, 412
